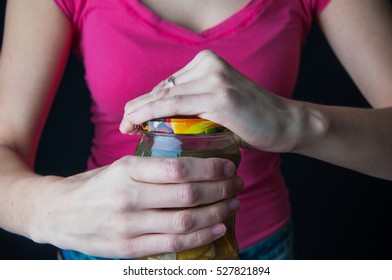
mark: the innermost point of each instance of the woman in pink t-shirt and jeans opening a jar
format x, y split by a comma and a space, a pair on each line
241, 61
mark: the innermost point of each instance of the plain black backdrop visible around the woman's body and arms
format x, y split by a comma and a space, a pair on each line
337, 213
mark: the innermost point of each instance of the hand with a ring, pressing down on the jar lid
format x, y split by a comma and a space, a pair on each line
210, 88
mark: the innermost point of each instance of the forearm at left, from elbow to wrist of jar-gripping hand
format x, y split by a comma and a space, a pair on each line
21, 193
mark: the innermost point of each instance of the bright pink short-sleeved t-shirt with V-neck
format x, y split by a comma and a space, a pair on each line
127, 49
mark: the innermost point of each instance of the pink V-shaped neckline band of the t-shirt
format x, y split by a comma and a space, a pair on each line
227, 27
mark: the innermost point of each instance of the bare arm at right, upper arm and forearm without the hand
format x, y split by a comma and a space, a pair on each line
360, 33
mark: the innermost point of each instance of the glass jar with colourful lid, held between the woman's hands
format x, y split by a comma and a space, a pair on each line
192, 137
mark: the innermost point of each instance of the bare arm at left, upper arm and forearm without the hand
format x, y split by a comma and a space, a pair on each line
36, 45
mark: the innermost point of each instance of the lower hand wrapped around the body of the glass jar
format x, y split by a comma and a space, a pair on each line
129, 209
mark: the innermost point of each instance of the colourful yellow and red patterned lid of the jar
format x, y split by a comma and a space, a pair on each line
182, 125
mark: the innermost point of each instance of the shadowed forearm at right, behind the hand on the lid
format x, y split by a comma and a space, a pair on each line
358, 139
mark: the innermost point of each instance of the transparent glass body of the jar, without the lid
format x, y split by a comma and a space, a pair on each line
218, 144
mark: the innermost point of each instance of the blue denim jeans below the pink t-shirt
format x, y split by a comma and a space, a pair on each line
277, 246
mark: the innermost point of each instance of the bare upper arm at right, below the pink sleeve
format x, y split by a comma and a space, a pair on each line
360, 33
